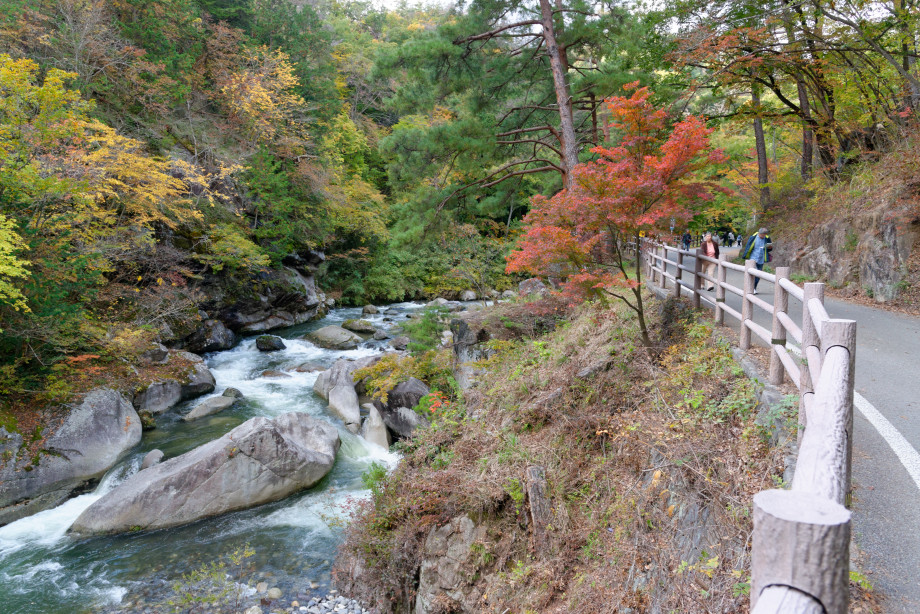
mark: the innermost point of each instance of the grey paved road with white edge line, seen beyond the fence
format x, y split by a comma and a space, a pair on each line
886, 519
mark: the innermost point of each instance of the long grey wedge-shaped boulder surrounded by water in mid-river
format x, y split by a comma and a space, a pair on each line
261, 460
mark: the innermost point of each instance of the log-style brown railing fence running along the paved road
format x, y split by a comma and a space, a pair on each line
801, 541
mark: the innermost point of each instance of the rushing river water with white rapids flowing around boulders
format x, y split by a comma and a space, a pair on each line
45, 570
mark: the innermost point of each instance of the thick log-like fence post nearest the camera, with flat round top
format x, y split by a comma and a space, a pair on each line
801, 540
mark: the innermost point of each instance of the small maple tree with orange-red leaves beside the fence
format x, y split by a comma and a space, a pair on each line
653, 175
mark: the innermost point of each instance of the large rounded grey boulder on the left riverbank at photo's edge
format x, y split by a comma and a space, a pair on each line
93, 436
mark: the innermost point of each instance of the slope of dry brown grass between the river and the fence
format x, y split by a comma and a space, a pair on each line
651, 462
